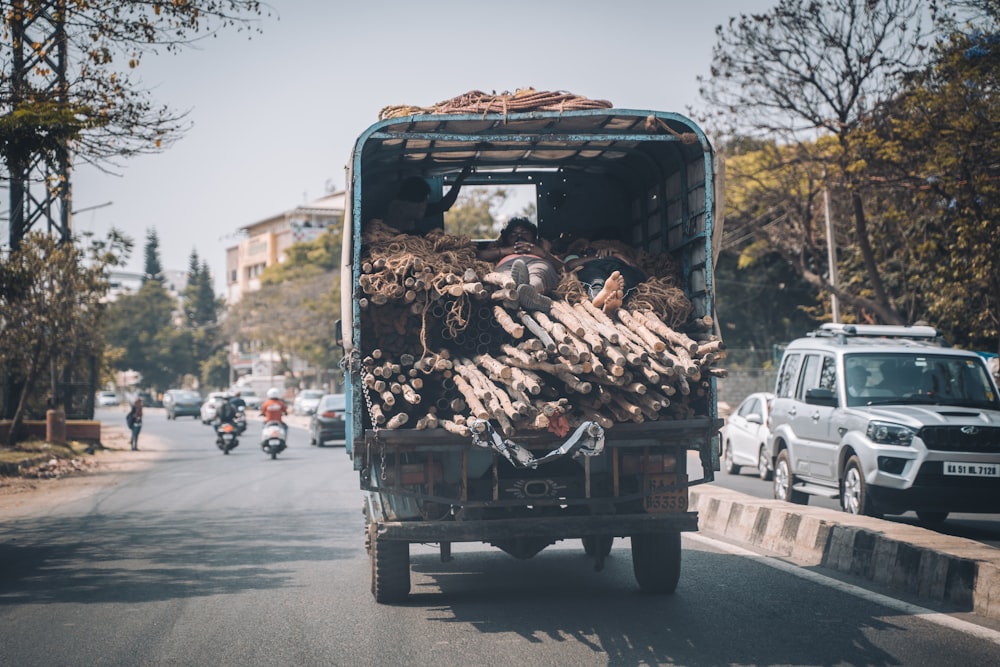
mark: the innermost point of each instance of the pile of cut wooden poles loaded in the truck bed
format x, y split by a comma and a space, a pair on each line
445, 341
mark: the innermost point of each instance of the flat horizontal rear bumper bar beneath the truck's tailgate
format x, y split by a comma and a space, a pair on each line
553, 528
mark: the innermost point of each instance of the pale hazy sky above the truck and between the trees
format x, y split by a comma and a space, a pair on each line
274, 115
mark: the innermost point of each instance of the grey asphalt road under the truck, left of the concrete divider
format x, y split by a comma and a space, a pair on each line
196, 558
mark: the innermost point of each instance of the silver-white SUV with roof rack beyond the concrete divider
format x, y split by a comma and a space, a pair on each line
888, 420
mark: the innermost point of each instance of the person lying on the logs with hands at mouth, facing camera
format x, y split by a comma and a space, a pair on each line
520, 251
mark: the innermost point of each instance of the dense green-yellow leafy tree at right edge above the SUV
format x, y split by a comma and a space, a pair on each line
936, 144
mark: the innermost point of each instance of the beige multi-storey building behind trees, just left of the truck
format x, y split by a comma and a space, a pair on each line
265, 242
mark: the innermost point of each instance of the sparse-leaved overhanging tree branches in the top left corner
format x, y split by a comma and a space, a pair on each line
99, 107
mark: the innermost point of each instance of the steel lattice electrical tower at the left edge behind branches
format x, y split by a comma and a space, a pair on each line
38, 161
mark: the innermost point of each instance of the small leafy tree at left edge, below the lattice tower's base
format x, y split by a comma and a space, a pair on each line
51, 306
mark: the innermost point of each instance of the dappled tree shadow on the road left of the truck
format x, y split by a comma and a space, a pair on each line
139, 557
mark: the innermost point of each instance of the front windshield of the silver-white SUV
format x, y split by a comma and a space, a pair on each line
874, 379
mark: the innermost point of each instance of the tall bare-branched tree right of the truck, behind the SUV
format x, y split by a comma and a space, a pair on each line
815, 69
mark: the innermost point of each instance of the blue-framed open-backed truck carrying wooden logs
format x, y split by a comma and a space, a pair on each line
459, 437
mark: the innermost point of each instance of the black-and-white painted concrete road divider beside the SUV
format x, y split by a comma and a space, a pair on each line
951, 570
